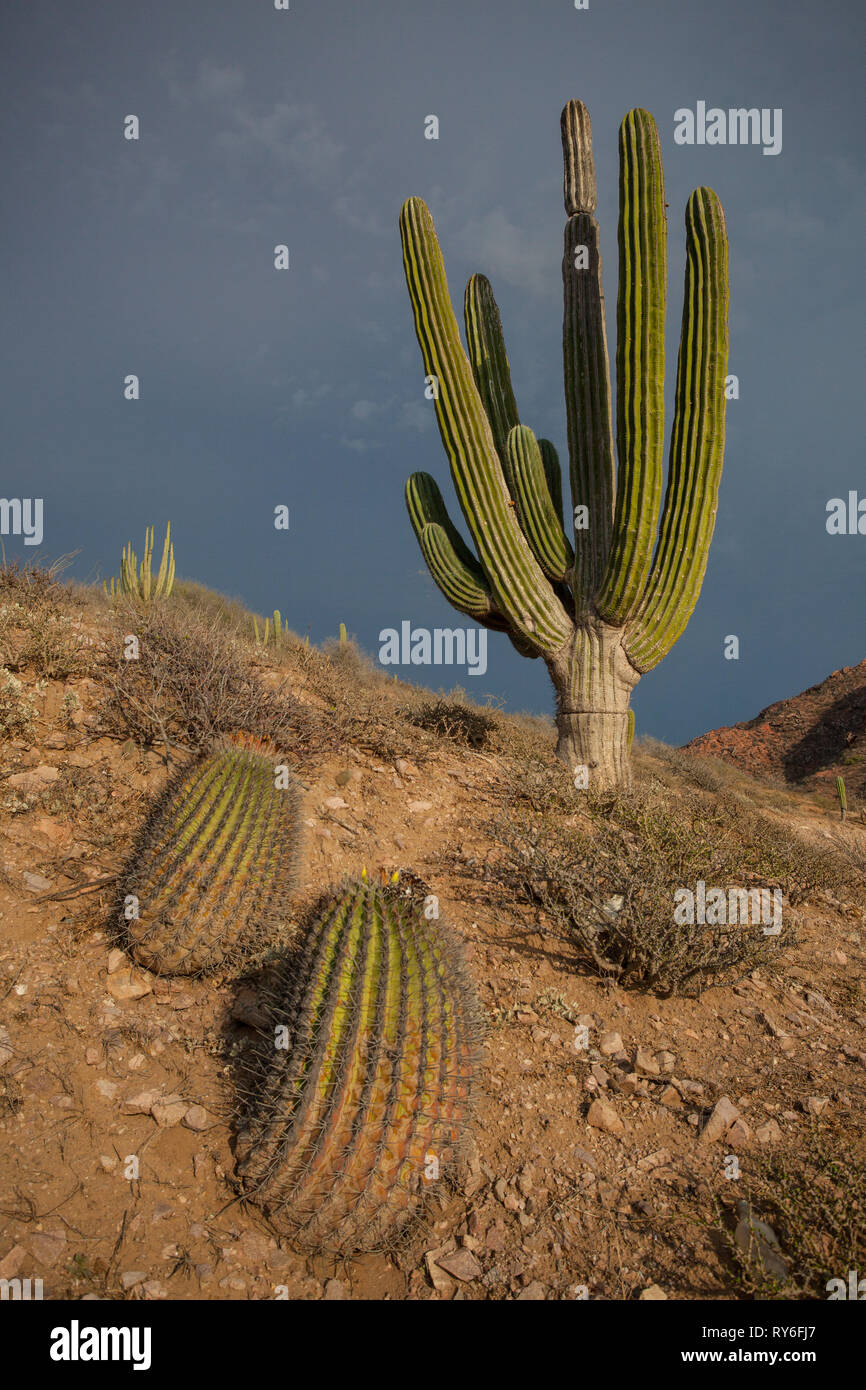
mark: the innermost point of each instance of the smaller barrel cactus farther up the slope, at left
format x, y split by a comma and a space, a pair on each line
215, 867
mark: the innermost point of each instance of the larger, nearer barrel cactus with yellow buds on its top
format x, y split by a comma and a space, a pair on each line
365, 1100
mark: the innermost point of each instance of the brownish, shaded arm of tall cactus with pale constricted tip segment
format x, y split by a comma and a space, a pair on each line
587, 369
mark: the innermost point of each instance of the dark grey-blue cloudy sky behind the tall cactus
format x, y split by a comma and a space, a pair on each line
307, 387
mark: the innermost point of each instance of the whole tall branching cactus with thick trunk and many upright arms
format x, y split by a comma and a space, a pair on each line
604, 608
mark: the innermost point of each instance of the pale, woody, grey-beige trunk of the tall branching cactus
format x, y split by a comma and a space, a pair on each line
593, 682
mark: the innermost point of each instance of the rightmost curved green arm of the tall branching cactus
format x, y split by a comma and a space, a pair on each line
697, 448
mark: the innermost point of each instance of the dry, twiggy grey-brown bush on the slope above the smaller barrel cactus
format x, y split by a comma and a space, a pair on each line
193, 682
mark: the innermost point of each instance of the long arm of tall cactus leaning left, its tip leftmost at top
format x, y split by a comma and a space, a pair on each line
519, 586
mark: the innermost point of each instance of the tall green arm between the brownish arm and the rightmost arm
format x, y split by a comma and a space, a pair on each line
640, 366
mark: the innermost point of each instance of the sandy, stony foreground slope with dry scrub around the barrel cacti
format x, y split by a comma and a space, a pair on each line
639, 1081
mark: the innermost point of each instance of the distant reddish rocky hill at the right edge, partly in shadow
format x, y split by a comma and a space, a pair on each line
807, 740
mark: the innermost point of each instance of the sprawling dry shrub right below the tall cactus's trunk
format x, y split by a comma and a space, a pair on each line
578, 857
